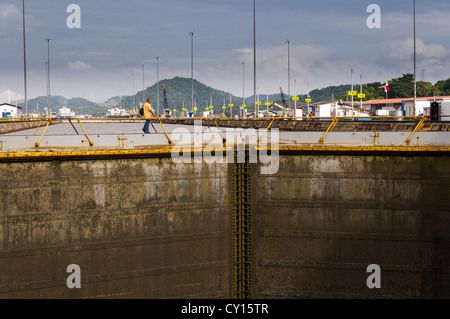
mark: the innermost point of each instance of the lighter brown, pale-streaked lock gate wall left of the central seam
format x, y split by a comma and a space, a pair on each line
142, 228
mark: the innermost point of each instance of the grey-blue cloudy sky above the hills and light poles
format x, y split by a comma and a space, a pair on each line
329, 38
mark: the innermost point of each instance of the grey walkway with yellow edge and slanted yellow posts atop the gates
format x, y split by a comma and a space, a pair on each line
122, 136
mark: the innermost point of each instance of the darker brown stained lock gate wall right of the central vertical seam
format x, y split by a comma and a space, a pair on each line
322, 220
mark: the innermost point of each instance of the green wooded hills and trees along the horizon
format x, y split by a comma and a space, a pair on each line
178, 92
